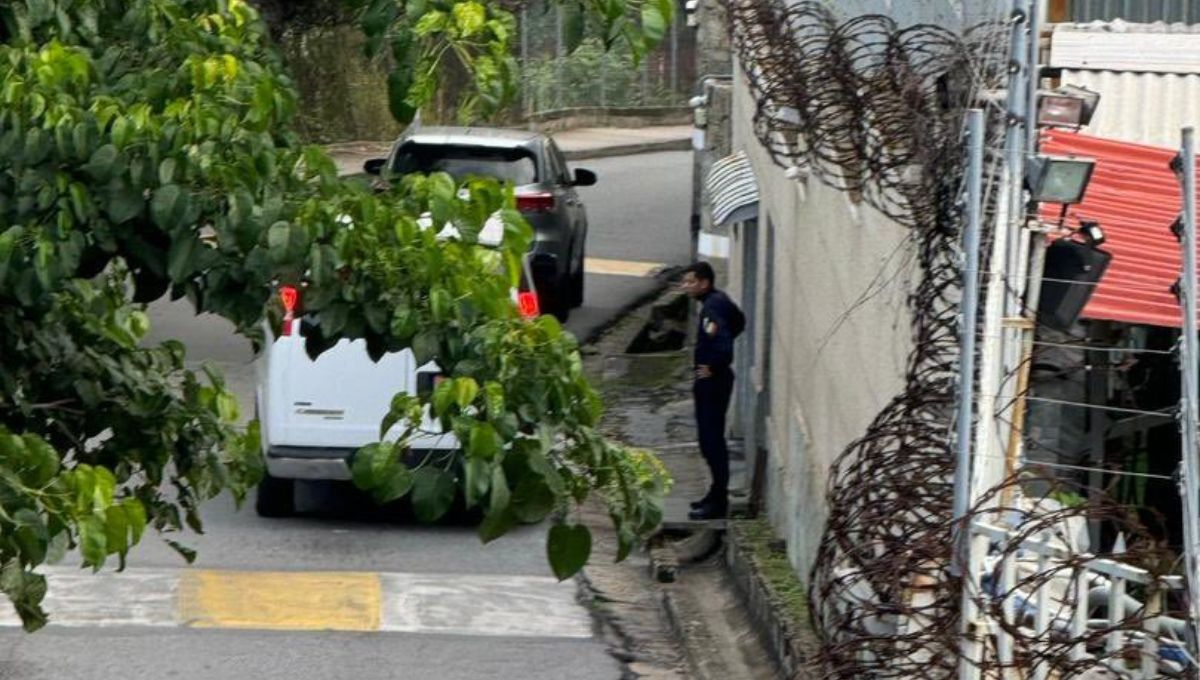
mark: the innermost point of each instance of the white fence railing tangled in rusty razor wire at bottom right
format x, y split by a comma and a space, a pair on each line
1073, 615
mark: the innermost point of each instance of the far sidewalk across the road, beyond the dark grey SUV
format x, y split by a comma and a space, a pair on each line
577, 145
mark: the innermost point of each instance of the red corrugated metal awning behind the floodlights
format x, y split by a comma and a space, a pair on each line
1136, 197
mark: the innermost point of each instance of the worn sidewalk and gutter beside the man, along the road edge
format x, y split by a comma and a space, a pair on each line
710, 605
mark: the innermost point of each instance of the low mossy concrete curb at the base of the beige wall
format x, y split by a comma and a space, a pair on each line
791, 643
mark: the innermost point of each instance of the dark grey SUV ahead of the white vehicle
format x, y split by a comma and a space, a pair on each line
545, 192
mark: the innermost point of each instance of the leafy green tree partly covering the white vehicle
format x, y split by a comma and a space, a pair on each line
146, 149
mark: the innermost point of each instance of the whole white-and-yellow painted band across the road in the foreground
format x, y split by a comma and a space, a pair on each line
464, 605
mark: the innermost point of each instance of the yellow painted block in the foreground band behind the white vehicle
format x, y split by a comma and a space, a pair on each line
285, 601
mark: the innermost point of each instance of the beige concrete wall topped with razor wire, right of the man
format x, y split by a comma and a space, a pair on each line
835, 360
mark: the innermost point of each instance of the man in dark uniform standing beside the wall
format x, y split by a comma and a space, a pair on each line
721, 322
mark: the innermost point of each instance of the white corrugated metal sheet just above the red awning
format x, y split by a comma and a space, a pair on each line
1148, 109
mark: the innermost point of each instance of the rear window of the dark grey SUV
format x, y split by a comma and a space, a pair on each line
514, 166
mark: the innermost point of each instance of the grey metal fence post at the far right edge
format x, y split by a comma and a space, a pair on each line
1190, 369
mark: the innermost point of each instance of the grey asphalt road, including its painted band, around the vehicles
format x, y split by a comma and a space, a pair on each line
345, 591
